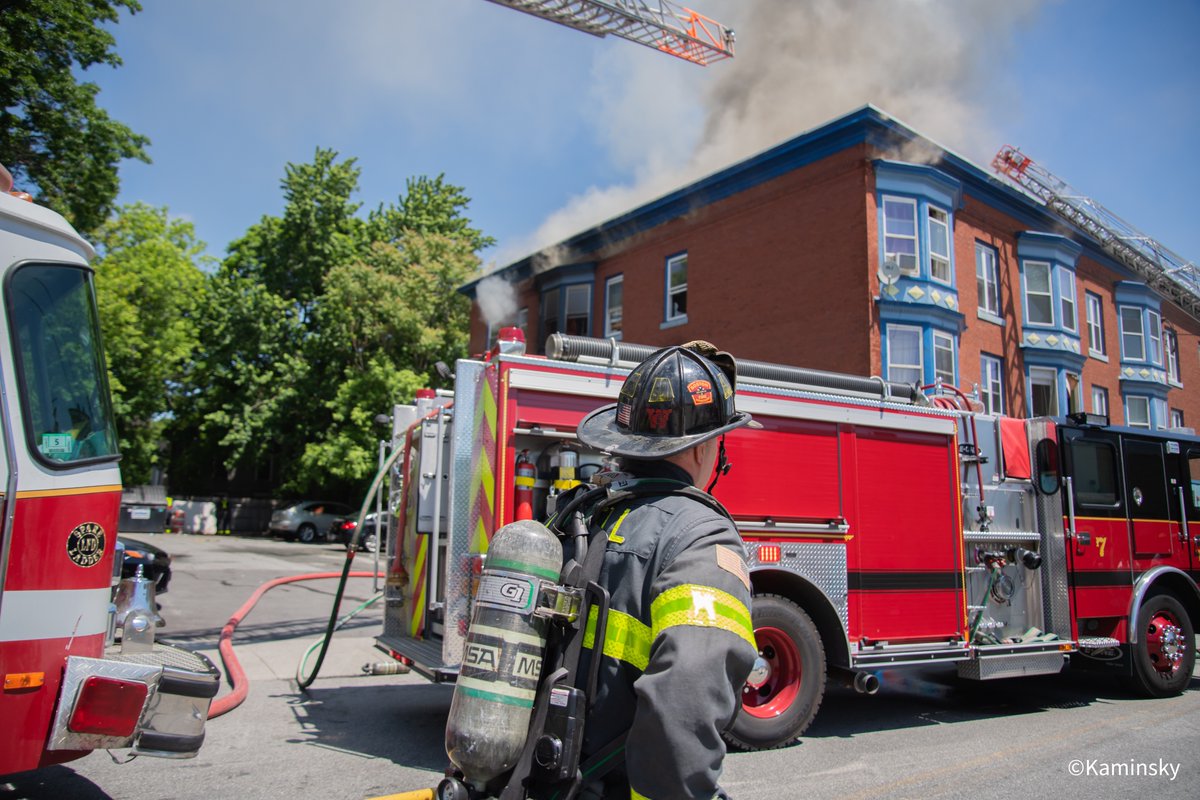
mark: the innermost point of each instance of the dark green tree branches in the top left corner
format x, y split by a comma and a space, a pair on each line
57, 142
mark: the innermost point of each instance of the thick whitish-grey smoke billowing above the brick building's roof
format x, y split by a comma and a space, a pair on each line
935, 65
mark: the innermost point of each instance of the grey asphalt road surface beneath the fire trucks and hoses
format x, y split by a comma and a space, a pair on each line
352, 736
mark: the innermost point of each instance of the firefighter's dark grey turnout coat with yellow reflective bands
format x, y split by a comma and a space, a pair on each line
680, 642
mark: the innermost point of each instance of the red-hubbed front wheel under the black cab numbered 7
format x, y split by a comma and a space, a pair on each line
1165, 654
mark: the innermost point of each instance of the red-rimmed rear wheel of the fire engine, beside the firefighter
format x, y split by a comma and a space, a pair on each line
779, 711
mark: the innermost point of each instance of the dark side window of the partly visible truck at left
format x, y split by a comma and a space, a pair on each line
61, 365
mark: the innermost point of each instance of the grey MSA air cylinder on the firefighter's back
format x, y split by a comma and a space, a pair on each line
502, 659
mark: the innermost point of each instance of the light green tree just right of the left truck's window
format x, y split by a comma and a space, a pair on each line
151, 290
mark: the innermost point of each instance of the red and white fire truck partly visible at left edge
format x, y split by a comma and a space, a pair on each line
68, 689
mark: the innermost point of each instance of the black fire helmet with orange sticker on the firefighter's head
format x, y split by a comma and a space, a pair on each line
674, 401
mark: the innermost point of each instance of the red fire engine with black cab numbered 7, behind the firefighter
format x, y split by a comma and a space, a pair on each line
884, 528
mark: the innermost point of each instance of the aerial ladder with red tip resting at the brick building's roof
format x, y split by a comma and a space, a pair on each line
1162, 269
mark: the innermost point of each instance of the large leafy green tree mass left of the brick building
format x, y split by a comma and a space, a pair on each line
322, 321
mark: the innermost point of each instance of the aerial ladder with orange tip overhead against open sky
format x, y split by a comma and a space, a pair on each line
664, 26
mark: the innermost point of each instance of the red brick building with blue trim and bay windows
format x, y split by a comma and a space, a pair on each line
865, 248
